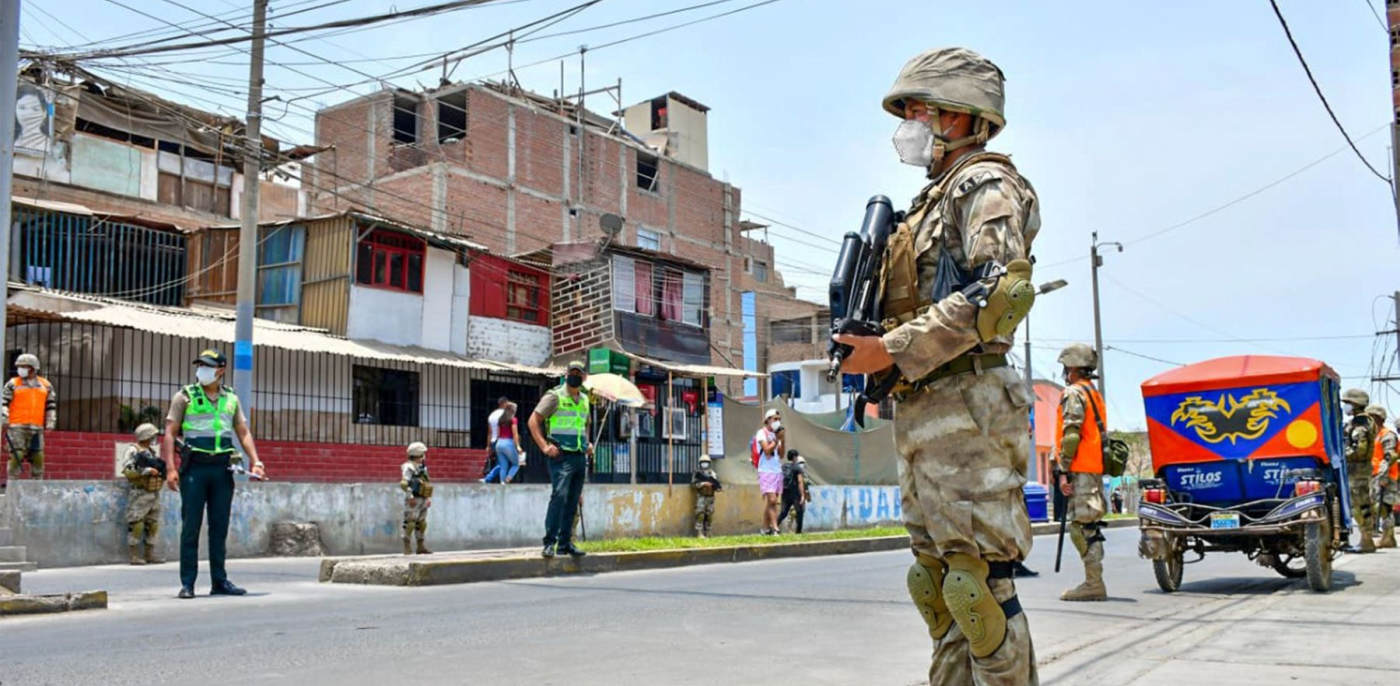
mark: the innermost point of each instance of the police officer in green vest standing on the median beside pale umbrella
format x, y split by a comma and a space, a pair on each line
565, 414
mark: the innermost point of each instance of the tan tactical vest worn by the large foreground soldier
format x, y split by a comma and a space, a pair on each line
901, 297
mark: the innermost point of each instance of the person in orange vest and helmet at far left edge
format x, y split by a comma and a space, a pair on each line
29, 407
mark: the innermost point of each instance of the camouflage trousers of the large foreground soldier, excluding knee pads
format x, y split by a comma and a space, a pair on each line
962, 447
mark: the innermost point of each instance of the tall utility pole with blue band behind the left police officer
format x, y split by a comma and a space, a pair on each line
248, 234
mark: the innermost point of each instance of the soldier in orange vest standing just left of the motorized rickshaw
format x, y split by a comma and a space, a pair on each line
1080, 467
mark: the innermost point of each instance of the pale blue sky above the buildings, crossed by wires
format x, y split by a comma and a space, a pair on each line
1128, 117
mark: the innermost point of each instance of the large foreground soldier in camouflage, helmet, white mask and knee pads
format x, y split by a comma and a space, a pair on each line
962, 428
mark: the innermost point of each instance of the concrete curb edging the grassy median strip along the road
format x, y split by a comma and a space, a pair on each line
401, 572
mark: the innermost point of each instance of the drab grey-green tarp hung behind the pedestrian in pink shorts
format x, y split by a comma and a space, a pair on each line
832, 456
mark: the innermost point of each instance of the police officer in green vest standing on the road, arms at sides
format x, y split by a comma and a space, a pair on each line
209, 418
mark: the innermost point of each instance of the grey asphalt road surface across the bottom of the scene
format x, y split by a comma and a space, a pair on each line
827, 621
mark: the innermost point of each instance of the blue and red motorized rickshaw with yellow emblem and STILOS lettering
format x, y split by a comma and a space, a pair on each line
1248, 457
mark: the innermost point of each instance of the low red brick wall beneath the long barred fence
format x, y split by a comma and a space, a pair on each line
78, 456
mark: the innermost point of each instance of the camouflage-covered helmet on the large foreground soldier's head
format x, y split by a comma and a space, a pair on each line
953, 79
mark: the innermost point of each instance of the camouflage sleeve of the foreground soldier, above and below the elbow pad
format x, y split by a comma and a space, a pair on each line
997, 218
